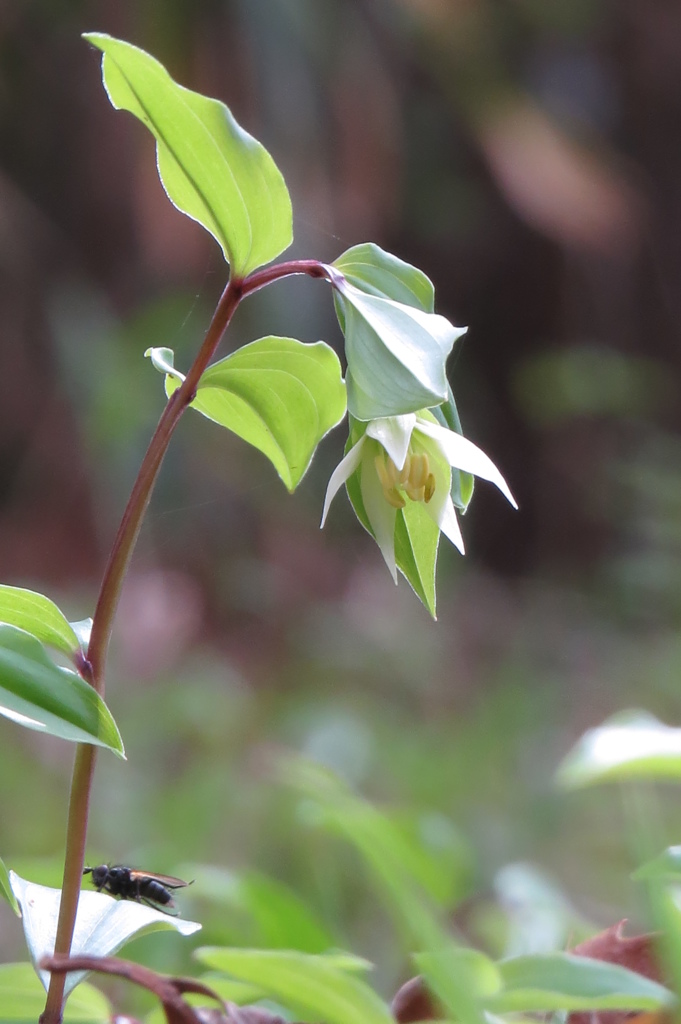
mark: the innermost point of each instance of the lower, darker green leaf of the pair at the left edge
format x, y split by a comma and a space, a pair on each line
39, 695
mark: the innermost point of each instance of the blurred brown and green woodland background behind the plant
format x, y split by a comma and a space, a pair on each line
528, 157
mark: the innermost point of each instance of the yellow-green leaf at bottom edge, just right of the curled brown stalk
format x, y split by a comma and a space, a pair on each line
308, 986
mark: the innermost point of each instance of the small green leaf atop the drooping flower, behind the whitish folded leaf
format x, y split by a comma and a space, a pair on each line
376, 272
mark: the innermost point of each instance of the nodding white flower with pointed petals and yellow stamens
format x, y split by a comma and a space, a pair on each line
410, 458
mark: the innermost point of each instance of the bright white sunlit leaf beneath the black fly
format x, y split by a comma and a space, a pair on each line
103, 924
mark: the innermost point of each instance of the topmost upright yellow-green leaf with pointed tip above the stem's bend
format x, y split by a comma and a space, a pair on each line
211, 169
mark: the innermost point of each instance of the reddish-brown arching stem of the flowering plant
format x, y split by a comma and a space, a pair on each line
110, 593
